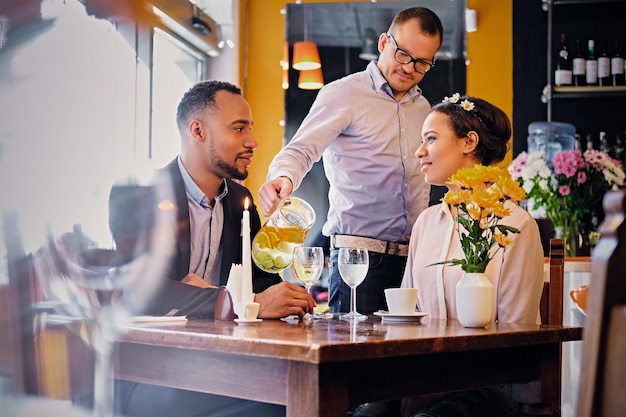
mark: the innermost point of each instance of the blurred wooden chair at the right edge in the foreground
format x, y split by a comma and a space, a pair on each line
603, 376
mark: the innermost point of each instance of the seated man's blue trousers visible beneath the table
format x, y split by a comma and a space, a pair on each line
144, 400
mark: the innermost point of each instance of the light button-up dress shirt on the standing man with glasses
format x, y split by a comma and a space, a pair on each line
368, 142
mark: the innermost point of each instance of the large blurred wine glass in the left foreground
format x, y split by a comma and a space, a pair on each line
105, 252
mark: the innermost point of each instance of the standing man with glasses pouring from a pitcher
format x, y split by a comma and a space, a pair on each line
366, 127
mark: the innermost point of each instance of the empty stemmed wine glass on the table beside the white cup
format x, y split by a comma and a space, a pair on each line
353, 267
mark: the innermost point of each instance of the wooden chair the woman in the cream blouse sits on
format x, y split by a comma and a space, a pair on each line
537, 398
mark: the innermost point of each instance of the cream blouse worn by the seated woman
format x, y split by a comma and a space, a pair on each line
516, 272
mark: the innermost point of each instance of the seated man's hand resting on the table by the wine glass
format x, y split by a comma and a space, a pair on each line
284, 299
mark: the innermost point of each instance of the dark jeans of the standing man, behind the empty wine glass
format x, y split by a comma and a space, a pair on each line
385, 271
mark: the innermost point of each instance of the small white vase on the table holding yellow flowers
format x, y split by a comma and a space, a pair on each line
474, 299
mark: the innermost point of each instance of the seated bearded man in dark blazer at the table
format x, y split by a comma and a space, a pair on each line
217, 144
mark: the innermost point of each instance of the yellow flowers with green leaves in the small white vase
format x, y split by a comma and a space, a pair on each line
477, 201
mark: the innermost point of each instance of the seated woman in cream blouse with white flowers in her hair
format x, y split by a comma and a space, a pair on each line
456, 135
